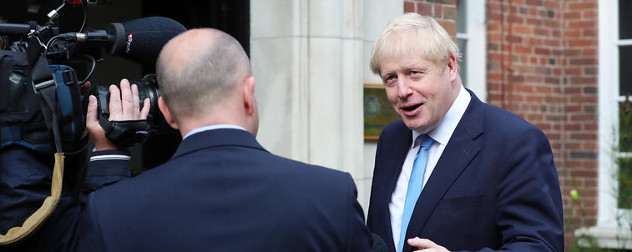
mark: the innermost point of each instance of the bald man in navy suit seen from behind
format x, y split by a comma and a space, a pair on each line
221, 190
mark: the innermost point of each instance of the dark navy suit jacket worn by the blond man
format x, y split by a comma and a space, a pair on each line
494, 187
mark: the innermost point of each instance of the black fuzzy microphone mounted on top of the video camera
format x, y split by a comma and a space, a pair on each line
139, 40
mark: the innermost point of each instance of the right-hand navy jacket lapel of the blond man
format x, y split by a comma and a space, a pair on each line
459, 152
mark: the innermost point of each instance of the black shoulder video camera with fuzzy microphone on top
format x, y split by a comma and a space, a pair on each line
41, 103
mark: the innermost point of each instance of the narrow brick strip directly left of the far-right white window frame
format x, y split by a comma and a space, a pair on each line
580, 139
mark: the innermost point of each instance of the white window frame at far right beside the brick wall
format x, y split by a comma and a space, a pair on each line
609, 233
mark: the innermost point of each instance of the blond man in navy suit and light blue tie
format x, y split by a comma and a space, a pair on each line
484, 181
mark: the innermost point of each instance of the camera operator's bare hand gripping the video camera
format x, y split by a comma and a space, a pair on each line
124, 105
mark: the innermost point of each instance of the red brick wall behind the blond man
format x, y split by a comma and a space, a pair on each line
542, 65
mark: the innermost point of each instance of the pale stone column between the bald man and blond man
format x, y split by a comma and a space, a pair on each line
310, 62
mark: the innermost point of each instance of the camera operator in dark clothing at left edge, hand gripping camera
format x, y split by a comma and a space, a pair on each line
25, 178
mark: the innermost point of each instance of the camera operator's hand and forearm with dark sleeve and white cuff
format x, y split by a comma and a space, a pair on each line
110, 163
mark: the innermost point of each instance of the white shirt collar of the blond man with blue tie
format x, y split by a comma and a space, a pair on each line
446, 127
